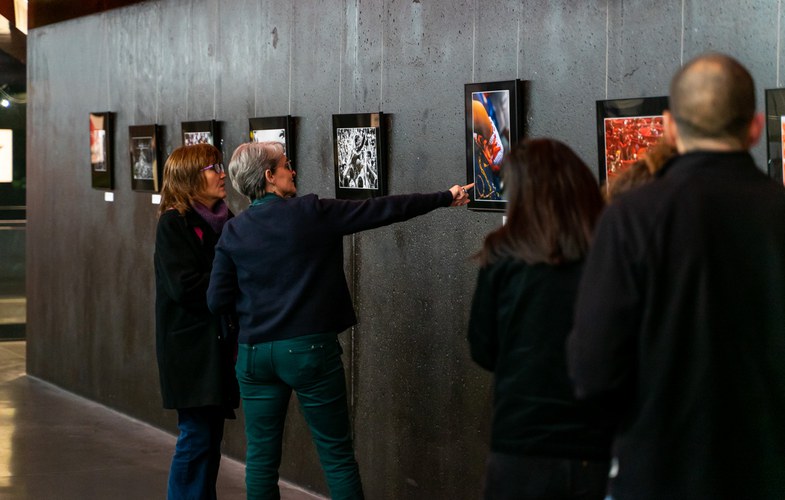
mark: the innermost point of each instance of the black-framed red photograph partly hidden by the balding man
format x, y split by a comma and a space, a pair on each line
625, 130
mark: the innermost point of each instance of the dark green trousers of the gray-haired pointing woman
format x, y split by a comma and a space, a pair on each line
311, 365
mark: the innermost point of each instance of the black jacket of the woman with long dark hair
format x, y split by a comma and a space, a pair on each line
519, 322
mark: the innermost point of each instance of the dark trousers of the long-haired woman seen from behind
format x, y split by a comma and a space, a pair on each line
510, 477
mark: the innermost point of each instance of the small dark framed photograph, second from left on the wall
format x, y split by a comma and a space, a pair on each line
146, 164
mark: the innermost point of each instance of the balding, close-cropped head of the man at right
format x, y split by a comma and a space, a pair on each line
712, 106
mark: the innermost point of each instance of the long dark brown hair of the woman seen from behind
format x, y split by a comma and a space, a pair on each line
553, 204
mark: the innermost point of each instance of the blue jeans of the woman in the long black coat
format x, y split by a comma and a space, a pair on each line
197, 454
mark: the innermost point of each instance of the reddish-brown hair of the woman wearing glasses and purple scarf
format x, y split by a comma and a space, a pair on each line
183, 178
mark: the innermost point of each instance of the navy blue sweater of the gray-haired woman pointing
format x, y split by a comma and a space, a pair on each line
279, 264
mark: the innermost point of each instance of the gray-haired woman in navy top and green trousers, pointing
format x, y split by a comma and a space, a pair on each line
279, 265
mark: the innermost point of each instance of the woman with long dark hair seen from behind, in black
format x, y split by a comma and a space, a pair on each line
544, 444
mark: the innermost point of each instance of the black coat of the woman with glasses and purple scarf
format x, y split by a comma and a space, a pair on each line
195, 348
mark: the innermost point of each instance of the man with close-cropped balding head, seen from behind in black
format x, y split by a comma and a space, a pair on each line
680, 322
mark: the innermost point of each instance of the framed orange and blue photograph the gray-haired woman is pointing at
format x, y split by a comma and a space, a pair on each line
494, 122
